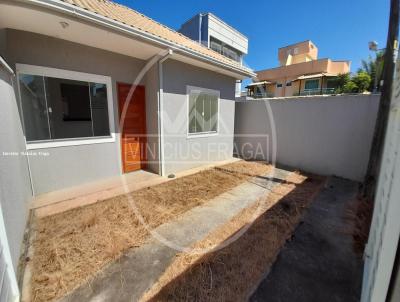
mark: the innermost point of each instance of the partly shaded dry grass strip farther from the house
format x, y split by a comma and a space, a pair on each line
231, 273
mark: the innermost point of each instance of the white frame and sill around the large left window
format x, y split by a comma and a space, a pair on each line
69, 75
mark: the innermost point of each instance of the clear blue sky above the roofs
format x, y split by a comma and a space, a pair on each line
341, 29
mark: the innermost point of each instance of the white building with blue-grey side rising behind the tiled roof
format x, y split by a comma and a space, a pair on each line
212, 32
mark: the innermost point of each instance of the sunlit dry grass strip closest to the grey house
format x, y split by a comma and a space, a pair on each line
71, 247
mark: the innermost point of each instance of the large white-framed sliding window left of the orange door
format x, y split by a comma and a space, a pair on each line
59, 105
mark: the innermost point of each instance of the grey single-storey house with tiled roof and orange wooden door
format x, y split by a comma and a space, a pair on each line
74, 62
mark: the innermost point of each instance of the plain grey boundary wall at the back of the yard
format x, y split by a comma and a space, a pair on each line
327, 135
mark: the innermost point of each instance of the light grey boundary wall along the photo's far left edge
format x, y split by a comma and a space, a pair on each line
15, 190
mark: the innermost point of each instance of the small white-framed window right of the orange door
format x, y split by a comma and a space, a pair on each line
203, 112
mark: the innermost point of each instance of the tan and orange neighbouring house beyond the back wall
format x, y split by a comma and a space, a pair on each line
300, 73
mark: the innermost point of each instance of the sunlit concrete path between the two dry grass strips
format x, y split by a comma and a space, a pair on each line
133, 274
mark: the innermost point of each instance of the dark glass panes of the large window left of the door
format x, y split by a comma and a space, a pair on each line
56, 108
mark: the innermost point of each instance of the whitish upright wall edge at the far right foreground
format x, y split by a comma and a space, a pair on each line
384, 233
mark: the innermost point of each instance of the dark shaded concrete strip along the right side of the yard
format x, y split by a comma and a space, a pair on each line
319, 263
